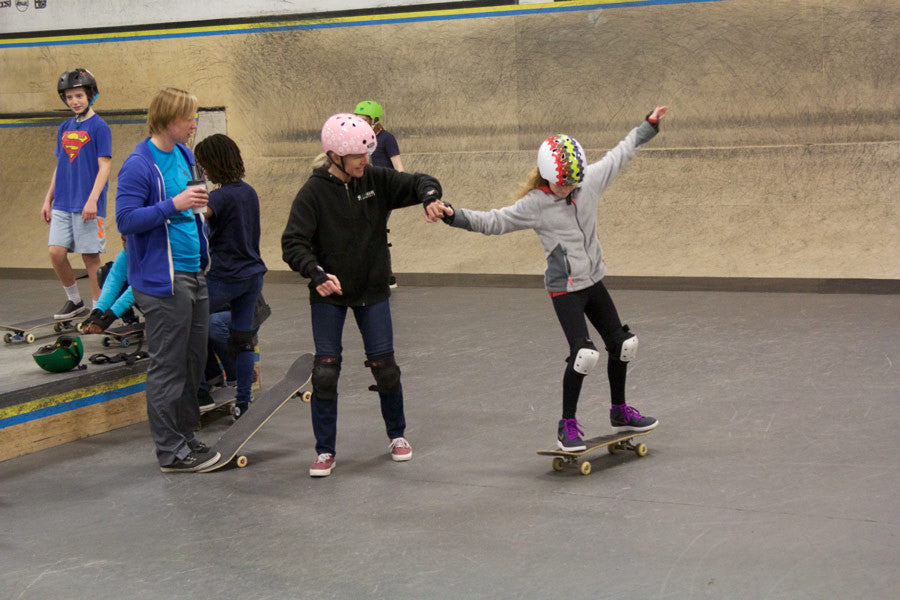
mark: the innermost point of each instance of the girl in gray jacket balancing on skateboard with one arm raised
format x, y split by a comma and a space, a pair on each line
559, 201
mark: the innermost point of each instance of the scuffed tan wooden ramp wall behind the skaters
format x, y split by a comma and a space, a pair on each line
777, 159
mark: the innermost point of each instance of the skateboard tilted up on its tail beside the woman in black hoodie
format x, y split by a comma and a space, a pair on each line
261, 410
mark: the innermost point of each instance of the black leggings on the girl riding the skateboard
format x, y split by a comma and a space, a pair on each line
571, 308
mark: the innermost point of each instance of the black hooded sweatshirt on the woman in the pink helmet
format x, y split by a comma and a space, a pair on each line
340, 228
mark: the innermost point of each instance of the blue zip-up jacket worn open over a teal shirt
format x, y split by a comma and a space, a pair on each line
142, 214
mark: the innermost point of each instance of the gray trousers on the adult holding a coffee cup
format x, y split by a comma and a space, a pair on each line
176, 332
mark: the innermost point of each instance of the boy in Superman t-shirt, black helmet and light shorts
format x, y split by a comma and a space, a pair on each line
75, 204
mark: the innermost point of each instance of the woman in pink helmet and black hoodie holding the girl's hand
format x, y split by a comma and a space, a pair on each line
336, 237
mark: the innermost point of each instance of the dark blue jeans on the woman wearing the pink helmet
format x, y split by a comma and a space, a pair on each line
377, 331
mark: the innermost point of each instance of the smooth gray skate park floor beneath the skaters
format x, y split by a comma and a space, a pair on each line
773, 473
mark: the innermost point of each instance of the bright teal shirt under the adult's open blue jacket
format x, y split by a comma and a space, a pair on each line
183, 237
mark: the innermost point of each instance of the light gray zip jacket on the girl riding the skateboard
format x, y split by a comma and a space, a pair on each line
568, 230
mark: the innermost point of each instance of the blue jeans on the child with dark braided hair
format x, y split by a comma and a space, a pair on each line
241, 297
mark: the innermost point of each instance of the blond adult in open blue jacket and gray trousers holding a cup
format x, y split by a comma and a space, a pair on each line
167, 255
